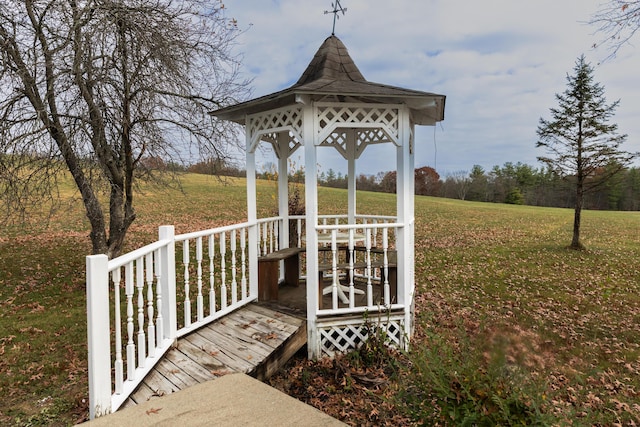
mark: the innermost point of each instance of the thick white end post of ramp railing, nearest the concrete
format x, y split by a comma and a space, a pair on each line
98, 335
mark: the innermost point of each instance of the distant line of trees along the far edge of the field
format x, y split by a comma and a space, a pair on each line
512, 183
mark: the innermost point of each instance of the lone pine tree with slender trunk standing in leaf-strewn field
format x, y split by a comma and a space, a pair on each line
581, 144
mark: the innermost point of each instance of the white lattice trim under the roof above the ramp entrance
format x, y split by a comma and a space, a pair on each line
266, 126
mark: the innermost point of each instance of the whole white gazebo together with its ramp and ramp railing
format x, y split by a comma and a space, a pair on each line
358, 268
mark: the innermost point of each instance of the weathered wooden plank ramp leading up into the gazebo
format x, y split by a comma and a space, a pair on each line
255, 340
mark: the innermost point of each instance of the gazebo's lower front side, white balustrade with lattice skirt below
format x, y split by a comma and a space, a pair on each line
364, 273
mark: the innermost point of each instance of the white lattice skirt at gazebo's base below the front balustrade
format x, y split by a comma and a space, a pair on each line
344, 338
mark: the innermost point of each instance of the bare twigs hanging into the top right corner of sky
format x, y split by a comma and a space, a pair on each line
618, 21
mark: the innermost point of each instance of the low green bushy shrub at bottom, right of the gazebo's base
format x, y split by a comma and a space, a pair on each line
455, 384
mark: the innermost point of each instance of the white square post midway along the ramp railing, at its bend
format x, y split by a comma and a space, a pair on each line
168, 282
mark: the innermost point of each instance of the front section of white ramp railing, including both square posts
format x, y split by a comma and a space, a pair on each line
133, 290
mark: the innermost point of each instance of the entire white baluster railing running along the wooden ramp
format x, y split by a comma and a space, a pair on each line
139, 303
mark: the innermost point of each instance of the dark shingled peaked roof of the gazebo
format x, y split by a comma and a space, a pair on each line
332, 75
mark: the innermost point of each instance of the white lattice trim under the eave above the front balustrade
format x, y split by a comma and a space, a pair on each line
382, 120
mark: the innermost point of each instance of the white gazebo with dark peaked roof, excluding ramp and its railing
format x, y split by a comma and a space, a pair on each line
365, 263
